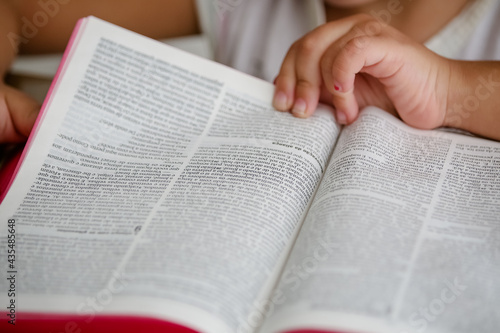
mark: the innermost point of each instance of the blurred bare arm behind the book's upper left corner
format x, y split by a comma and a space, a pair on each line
154, 18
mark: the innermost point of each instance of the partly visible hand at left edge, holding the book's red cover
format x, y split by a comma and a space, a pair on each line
18, 113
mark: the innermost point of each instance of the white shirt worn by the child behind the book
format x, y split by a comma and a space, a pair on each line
253, 36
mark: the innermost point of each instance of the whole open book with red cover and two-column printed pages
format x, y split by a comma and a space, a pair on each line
161, 192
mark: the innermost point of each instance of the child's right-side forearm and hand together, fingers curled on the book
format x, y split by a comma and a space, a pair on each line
358, 61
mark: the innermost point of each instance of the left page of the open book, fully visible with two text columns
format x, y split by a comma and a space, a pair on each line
160, 184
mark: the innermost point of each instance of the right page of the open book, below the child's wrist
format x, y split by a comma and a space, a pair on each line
402, 236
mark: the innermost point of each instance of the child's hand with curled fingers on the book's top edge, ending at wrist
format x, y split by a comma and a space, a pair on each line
358, 61
